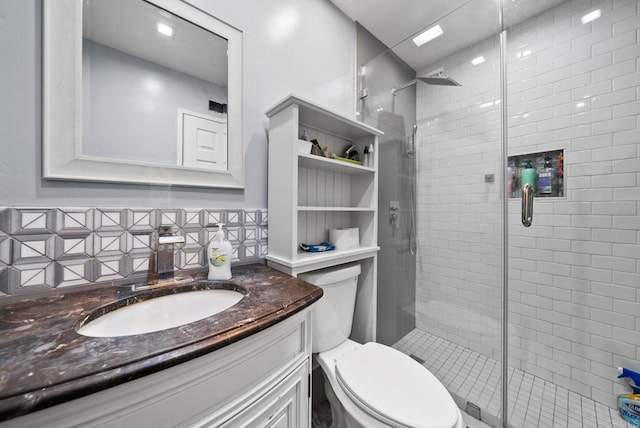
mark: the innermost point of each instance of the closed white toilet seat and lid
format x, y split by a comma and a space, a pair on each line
394, 388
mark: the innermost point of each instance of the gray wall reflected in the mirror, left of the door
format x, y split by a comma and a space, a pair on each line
130, 106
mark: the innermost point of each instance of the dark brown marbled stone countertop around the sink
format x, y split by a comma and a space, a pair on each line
44, 361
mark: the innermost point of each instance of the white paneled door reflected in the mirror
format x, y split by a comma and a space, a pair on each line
204, 141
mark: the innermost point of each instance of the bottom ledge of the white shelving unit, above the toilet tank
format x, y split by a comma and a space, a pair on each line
311, 261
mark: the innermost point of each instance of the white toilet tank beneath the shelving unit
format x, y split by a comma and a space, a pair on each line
332, 315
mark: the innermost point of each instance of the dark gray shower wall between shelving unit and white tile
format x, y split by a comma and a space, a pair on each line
396, 265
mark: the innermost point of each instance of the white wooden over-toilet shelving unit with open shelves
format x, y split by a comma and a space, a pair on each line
308, 195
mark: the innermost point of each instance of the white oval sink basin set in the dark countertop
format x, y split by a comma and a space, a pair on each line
161, 313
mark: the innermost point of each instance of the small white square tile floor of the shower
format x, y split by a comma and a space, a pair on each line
472, 377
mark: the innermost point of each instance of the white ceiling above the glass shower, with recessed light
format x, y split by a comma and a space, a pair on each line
464, 22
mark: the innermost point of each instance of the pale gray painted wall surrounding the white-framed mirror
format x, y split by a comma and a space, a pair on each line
280, 57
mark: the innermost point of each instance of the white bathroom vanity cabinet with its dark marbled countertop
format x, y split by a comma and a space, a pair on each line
248, 365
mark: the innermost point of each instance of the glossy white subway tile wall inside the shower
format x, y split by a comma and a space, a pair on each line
575, 274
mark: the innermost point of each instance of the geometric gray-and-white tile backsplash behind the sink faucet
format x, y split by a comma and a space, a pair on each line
47, 248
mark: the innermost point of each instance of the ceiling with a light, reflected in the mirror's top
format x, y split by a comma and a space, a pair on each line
130, 27
